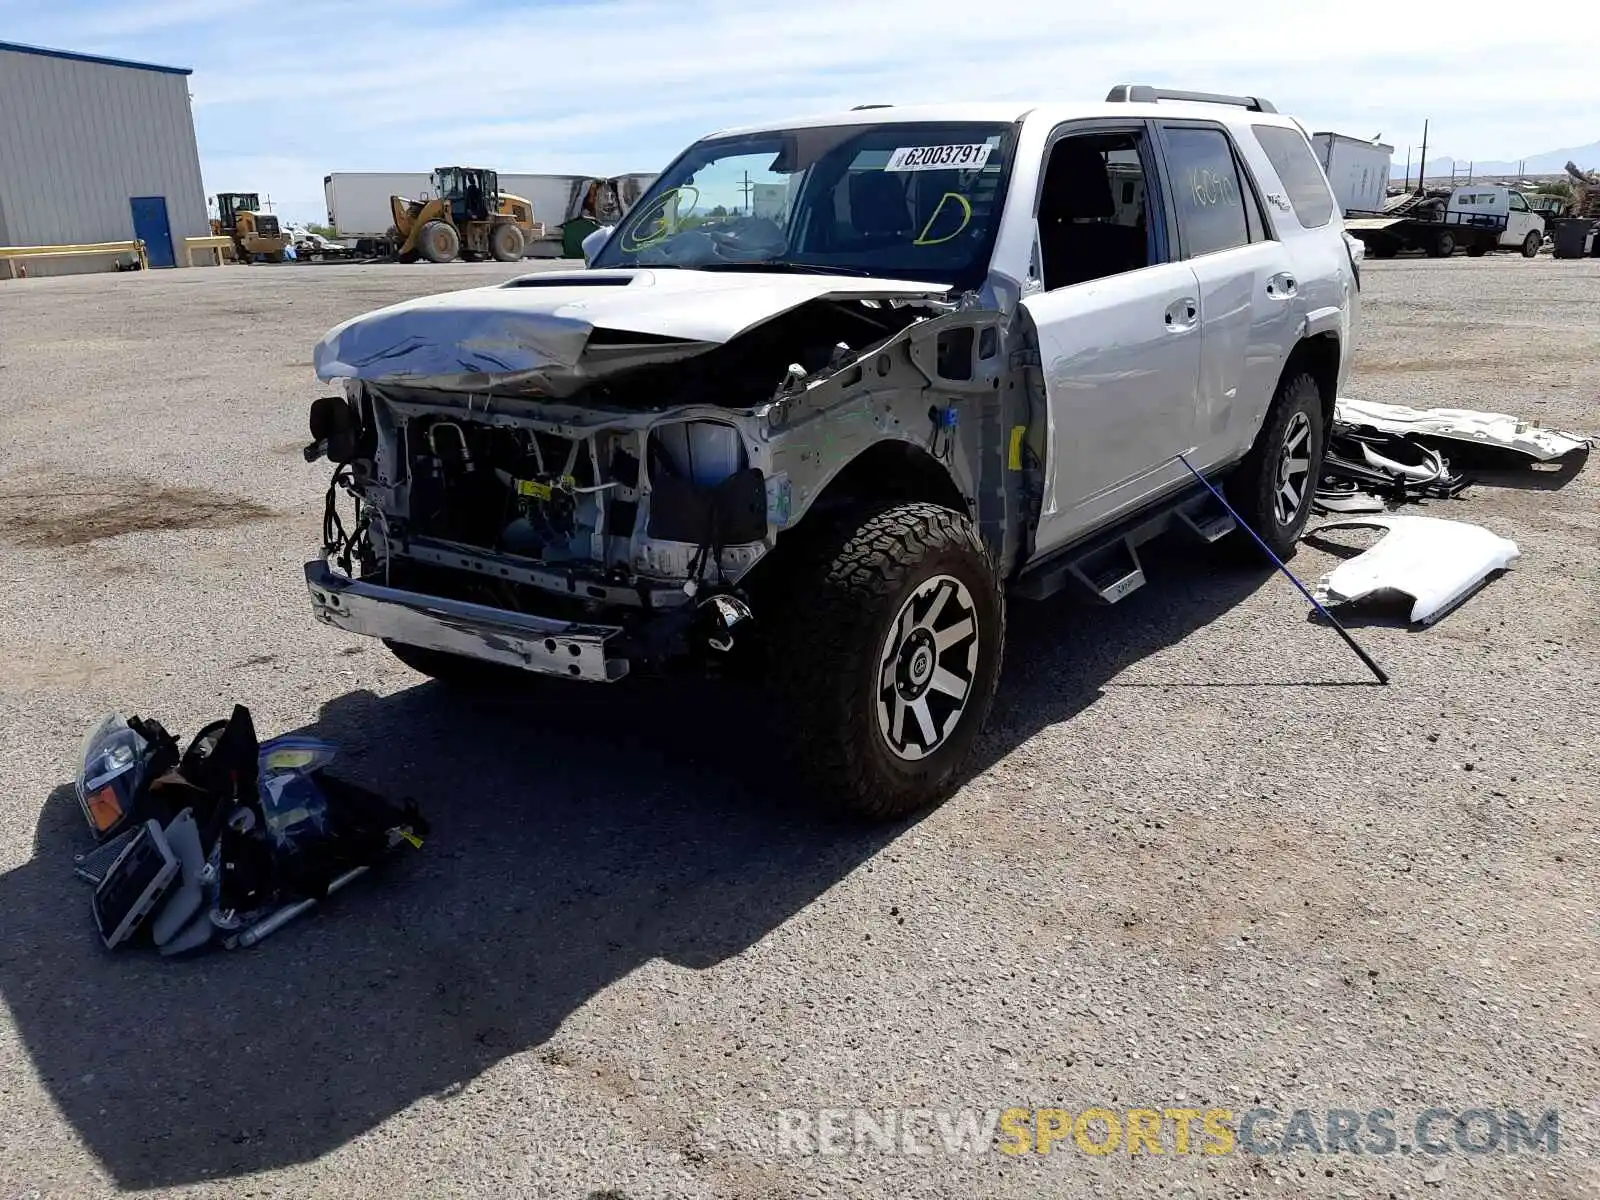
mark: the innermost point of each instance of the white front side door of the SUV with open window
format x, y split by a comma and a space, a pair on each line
1119, 354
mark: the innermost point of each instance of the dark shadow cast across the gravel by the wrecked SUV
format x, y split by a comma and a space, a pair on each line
578, 834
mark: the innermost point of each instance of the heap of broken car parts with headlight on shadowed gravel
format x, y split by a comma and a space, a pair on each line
225, 842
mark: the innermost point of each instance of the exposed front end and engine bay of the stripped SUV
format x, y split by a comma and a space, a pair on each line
641, 494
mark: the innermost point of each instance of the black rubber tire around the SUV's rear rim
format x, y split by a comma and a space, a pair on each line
1255, 489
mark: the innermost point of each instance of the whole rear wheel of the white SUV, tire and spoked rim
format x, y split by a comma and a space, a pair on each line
1274, 486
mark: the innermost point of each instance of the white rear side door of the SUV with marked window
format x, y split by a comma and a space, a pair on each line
1249, 290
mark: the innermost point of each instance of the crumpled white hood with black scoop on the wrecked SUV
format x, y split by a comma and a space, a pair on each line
537, 329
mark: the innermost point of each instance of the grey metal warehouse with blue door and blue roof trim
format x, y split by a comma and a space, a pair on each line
97, 150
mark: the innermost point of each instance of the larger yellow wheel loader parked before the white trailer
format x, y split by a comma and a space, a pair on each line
468, 217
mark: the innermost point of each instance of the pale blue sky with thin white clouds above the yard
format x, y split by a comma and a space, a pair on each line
287, 92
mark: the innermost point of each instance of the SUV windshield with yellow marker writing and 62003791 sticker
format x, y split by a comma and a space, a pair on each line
908, 201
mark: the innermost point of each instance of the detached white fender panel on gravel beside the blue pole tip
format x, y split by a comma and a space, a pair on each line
1438, 564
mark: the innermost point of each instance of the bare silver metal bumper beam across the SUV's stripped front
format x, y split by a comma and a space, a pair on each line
535, 644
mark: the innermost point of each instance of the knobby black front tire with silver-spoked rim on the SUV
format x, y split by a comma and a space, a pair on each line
833, 644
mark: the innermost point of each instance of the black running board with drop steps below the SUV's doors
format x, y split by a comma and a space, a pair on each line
1108, 566
